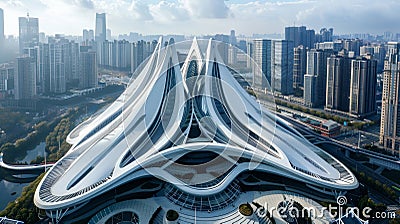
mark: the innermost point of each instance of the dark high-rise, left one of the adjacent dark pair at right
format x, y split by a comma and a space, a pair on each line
338, 83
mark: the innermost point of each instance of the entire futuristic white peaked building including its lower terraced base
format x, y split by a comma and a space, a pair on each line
185, 140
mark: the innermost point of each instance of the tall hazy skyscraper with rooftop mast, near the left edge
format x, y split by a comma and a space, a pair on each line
28, 32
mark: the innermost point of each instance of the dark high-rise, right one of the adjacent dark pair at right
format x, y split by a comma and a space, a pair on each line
363, 87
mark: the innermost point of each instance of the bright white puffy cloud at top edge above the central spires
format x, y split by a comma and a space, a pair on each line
206, 8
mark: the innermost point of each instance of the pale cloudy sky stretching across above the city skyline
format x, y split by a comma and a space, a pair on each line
205, 16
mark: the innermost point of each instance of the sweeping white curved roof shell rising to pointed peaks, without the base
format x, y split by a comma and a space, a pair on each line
192, 126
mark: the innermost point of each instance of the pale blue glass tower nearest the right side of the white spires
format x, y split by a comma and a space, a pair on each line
262, 63
